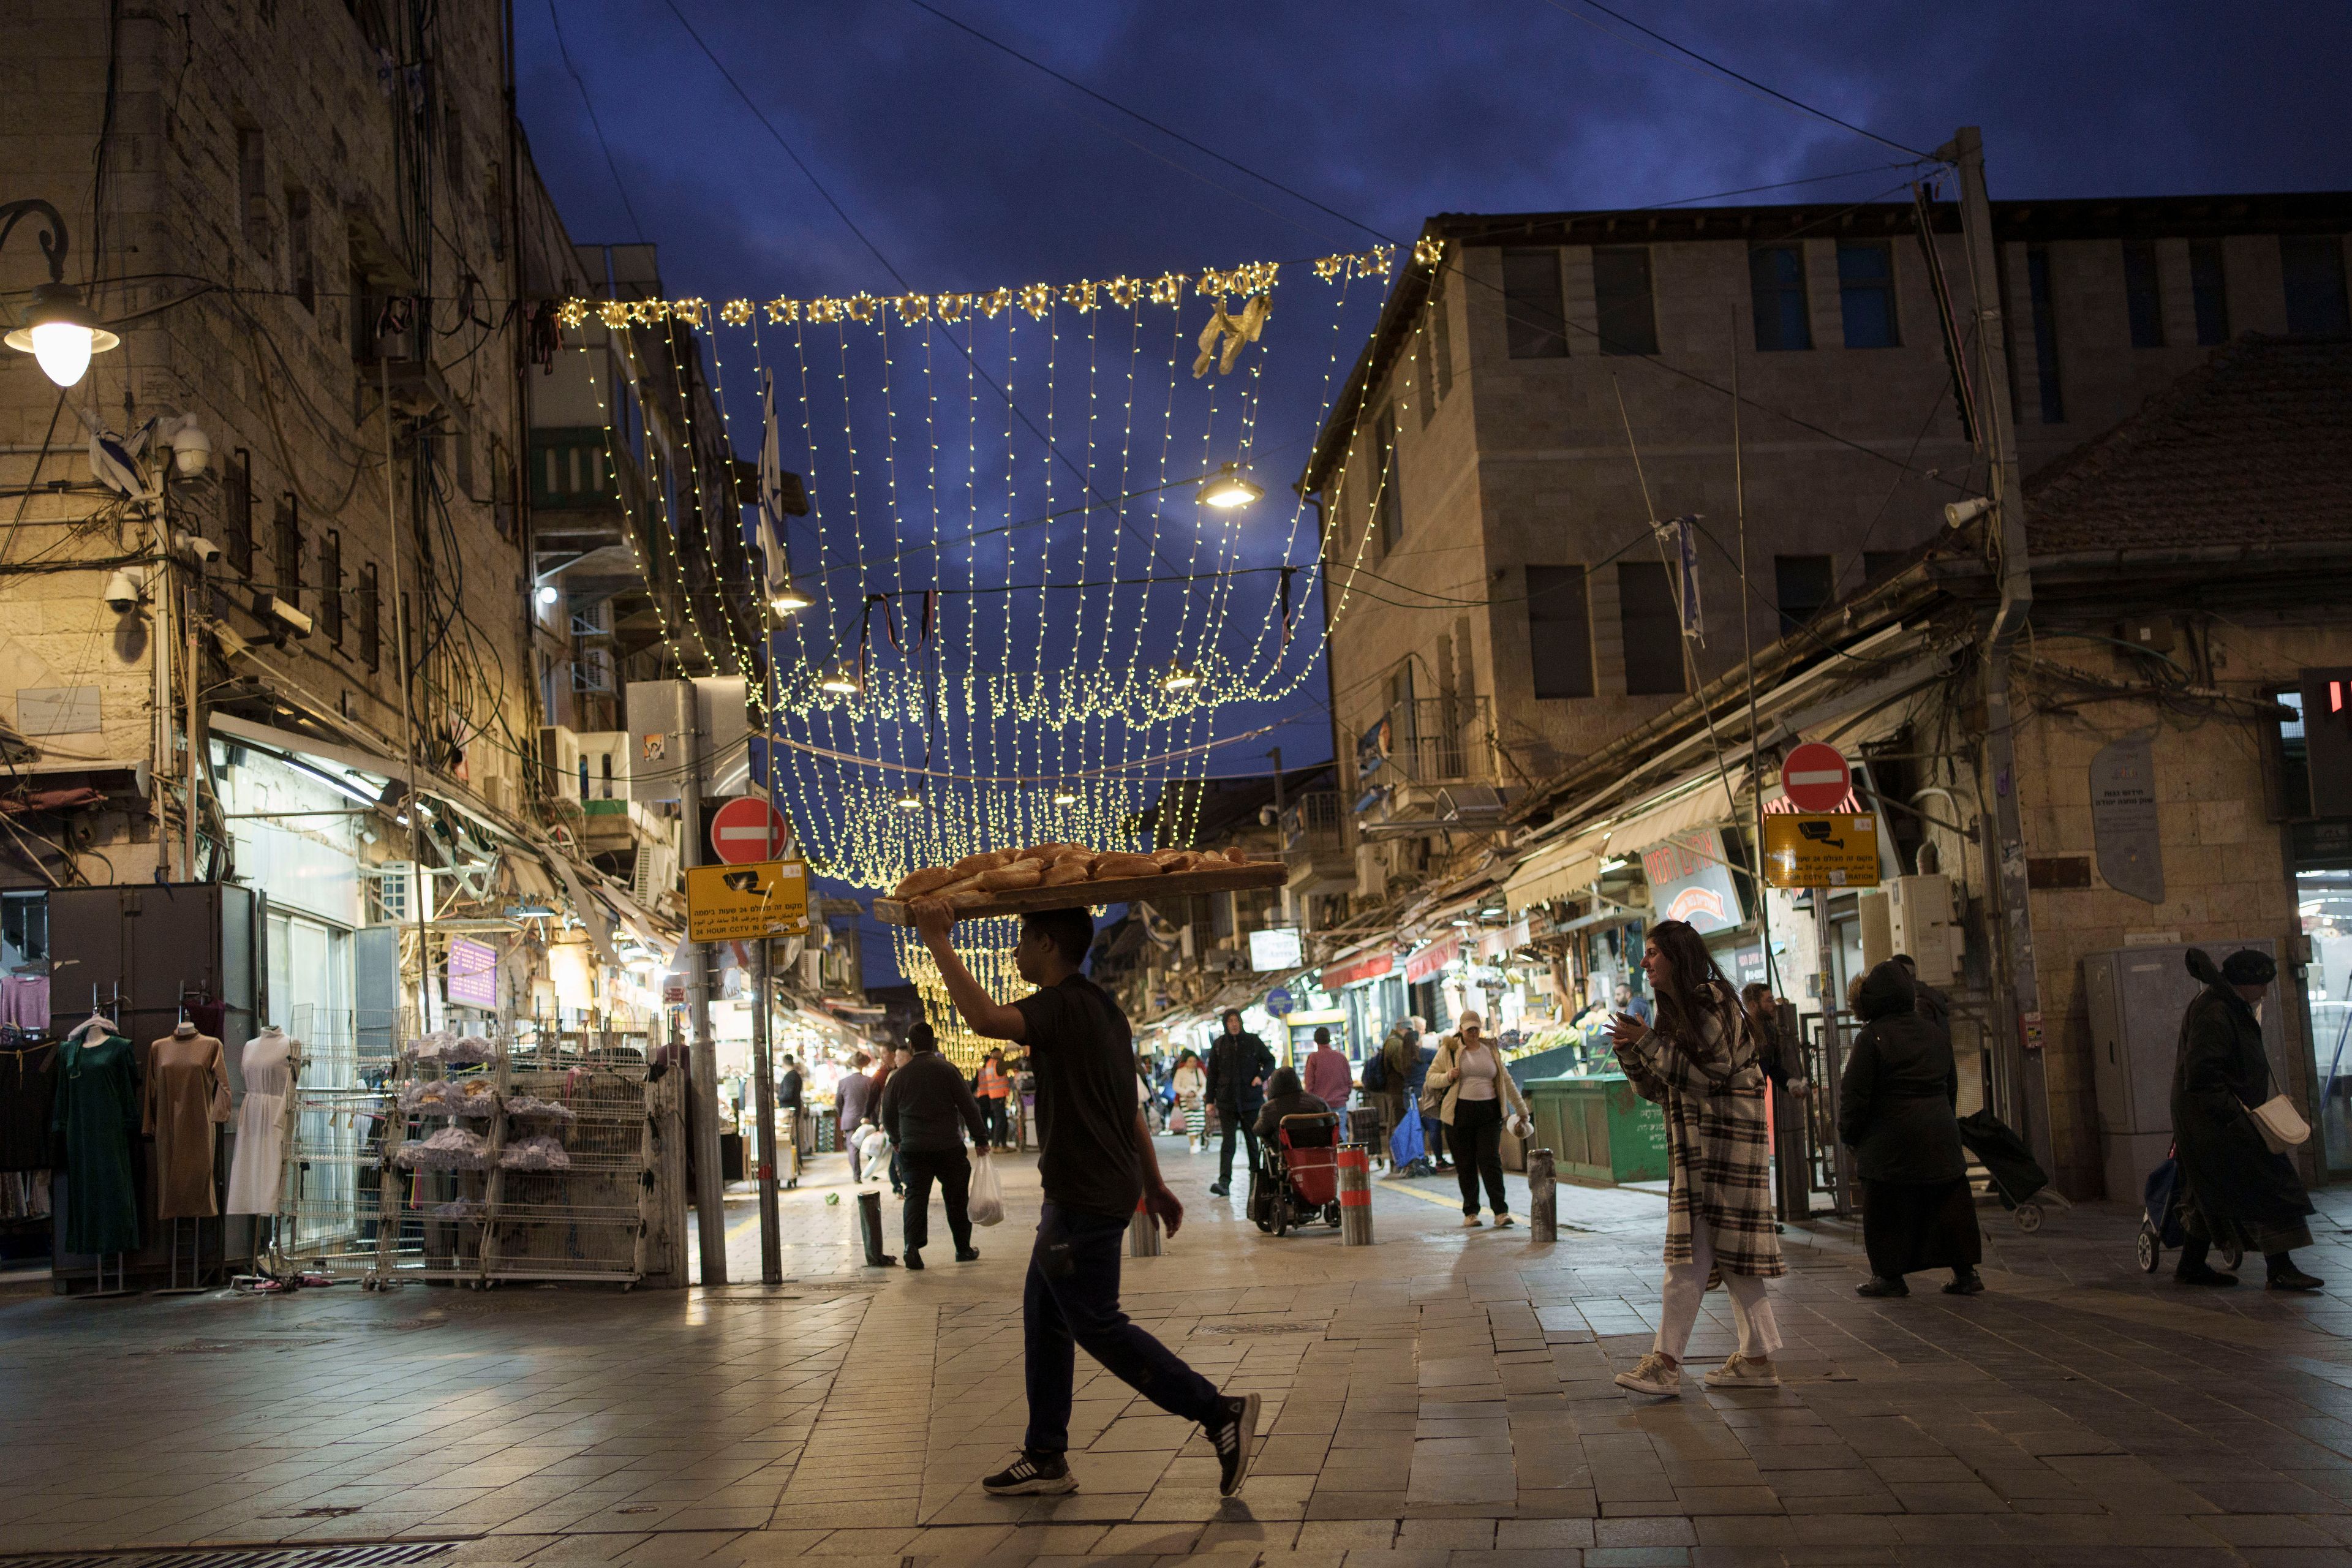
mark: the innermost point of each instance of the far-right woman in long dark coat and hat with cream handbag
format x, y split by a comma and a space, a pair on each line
2236, 1186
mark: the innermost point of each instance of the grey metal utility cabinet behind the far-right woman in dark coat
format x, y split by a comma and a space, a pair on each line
2137, 1000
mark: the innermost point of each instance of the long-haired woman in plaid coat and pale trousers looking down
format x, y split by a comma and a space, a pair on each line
1702, 1066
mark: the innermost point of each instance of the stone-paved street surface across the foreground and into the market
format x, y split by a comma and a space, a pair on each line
1441, 1400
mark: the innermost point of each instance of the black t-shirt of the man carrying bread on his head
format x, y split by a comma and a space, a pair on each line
1085, 1059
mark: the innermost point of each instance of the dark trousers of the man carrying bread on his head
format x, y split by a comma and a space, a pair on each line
1074, 1299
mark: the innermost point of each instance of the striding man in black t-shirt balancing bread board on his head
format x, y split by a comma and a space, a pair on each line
1097, 1165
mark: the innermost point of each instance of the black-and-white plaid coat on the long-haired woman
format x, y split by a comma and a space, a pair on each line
1716, 1141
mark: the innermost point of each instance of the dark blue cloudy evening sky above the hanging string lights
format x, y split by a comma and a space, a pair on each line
973, 170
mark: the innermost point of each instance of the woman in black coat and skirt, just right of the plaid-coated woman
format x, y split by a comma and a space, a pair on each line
1895, 1111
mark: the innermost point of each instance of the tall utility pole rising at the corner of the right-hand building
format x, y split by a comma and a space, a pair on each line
2005, 850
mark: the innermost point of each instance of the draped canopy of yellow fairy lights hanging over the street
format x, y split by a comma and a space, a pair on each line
944, 638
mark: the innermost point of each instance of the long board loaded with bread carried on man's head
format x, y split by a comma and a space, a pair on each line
1071, 878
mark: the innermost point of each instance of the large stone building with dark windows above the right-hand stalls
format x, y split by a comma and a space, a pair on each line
1563, 380
